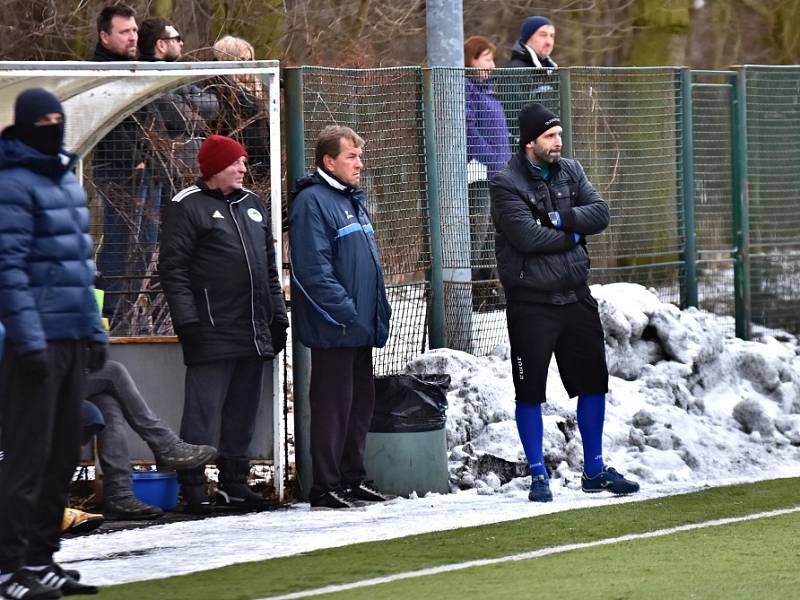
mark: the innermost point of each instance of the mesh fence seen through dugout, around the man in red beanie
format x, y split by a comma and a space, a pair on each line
141, 164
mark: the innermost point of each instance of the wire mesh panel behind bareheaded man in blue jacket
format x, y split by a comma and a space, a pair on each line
384, 106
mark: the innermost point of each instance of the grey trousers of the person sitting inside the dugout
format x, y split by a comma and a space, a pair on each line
114, 392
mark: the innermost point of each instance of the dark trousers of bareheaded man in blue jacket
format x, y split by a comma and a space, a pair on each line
342, 397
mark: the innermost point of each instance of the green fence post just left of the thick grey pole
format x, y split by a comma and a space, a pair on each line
437, 335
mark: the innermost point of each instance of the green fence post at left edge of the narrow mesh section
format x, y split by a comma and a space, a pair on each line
687, 179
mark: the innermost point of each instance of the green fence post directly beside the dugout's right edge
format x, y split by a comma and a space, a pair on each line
301, 356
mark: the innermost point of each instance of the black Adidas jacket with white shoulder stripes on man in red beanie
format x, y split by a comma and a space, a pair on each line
217, 268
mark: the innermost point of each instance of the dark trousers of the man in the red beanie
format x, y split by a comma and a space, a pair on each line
223, 395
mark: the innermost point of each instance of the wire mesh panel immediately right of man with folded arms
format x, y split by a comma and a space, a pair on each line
626, 134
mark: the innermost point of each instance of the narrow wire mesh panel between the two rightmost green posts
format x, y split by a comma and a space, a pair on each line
713, 194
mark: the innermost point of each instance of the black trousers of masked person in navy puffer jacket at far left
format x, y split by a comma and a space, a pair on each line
40, 438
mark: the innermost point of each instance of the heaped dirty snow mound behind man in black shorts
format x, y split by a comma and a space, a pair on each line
686, 402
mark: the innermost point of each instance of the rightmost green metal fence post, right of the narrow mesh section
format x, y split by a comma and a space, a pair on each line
740, 198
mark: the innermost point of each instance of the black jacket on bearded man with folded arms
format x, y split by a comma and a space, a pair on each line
537, 262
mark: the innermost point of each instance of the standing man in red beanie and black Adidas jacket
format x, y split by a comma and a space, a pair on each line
217, 267
